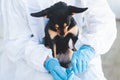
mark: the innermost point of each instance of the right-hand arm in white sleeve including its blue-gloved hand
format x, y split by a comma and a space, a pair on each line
97, 36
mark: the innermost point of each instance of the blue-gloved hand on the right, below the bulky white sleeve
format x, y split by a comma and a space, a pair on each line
81, 58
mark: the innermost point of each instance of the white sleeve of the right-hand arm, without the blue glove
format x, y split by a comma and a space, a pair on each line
100, 30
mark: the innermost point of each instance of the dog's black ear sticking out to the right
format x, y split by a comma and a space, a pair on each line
73, 9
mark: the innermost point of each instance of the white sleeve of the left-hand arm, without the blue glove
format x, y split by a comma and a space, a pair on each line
19, 45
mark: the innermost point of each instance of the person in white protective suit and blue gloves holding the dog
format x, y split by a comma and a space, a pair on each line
25, 55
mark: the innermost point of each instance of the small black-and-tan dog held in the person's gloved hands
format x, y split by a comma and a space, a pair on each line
61, 30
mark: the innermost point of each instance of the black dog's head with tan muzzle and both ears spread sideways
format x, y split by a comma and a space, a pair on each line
60, 15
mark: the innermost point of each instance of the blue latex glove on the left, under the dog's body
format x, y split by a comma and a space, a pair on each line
58, 72
